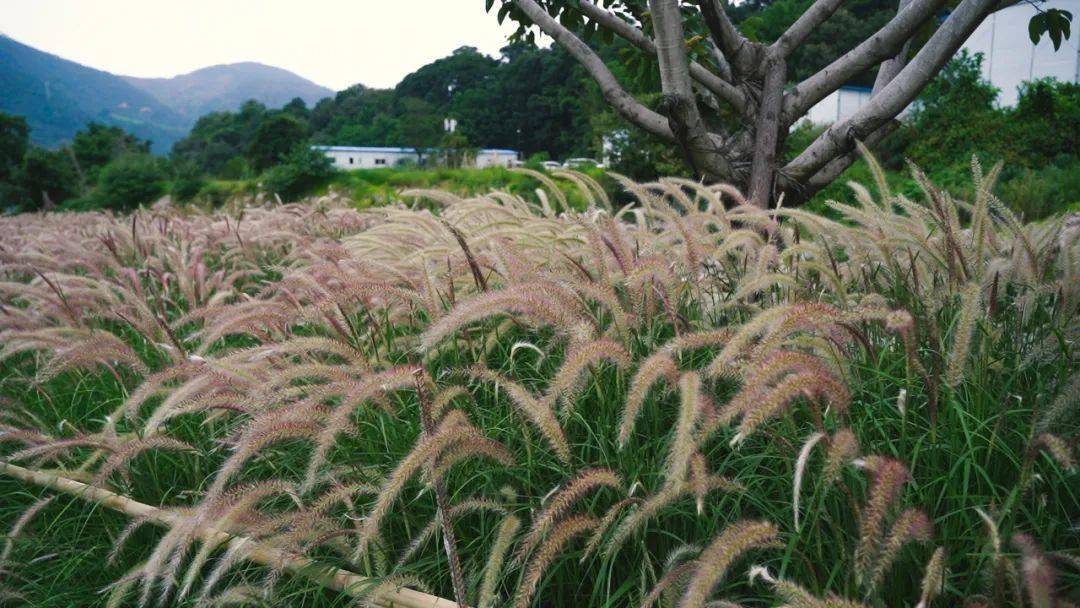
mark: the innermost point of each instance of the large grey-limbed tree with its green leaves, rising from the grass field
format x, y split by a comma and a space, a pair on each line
710, 66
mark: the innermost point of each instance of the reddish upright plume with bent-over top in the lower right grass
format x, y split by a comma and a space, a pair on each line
888, 479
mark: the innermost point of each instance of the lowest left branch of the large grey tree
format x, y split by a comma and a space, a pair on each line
616, 96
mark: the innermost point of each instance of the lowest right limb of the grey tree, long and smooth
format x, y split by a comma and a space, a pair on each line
840, 139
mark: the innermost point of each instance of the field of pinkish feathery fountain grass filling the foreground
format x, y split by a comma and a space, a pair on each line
502, 400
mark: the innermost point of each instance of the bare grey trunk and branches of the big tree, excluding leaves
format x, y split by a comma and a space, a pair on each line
752, 78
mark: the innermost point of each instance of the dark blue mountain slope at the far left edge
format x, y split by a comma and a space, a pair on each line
59, 98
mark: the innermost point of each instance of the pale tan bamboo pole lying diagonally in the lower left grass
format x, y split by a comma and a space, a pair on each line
344, 582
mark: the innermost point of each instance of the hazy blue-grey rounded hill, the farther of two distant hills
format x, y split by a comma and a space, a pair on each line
227, 87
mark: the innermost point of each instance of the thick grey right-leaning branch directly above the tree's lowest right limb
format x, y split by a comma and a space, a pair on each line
885, 44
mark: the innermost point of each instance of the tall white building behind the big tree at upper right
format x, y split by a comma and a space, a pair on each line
1009, 60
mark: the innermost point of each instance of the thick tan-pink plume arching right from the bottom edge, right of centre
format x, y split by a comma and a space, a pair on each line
722, 552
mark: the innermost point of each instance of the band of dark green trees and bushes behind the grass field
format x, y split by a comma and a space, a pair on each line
258, 148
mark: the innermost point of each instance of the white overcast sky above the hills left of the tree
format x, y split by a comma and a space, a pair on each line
334, 43
